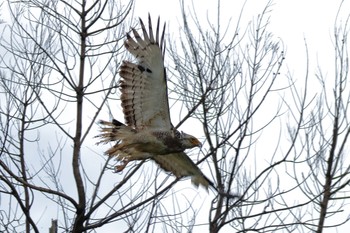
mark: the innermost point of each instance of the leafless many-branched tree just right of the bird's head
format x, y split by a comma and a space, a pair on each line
227, 84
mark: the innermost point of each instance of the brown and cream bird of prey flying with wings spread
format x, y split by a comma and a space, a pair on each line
148, 132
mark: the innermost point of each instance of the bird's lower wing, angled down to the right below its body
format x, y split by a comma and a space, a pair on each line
181, 166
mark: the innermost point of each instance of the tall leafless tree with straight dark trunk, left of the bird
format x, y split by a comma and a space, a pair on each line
59, 67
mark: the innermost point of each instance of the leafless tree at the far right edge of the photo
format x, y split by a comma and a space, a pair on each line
323, 144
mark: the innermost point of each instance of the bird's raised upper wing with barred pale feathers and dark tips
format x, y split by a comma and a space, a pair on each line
143, 85
